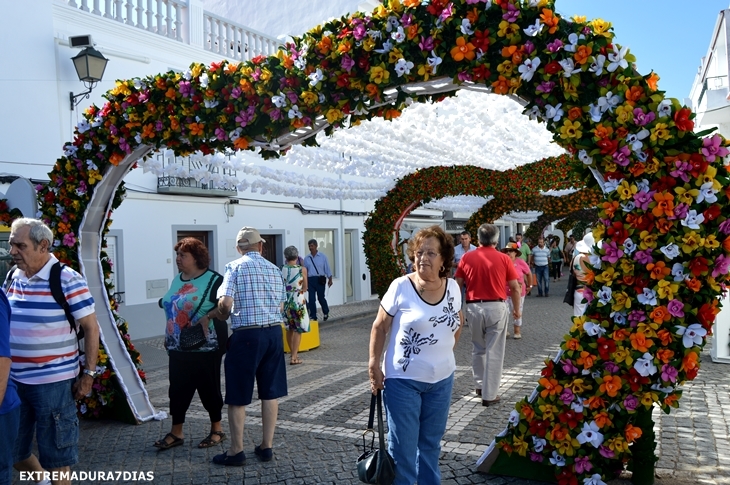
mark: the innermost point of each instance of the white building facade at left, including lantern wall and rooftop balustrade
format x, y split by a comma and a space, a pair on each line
146, 37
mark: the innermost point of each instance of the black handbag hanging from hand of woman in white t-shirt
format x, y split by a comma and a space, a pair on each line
375, 465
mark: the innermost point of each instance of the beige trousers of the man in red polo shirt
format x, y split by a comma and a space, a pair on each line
488, 323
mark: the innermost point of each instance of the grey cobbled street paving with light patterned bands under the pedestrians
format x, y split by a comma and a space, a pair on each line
321, 420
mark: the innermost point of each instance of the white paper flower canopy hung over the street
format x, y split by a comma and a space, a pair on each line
471, 128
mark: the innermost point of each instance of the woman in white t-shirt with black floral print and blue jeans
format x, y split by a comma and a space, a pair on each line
420, 321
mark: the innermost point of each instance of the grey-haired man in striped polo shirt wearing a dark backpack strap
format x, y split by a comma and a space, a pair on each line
44, 350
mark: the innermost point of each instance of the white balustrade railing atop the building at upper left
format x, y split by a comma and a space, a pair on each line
184, 21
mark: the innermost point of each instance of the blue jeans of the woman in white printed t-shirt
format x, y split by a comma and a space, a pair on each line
417, 414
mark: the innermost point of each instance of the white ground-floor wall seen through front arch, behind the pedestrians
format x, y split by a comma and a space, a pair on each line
145, 225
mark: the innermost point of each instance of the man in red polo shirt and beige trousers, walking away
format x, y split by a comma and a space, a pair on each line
487, 273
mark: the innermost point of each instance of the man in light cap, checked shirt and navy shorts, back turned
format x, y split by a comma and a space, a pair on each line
253, 294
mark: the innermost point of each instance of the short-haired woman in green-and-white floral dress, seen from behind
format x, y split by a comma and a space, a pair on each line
295, 309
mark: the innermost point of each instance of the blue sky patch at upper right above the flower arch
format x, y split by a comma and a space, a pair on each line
668, 36
